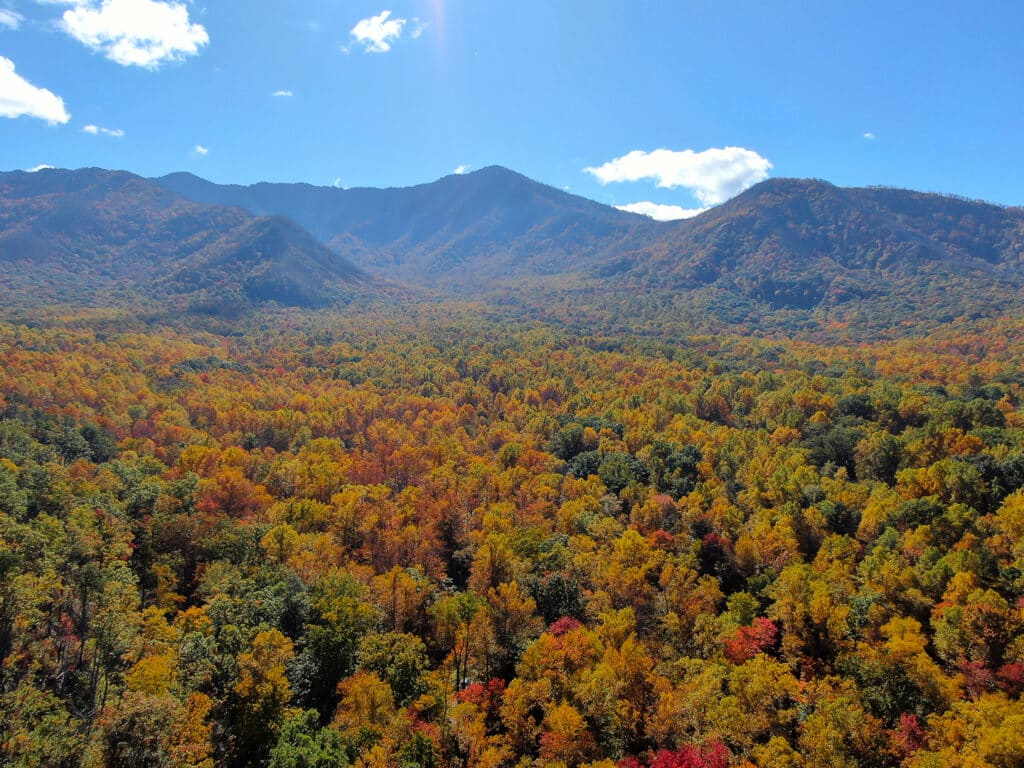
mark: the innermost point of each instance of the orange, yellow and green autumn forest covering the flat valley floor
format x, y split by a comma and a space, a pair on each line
430, 539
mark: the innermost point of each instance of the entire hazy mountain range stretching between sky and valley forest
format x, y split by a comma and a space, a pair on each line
798, 249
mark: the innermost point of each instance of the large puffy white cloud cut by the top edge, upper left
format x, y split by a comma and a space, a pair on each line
140, 33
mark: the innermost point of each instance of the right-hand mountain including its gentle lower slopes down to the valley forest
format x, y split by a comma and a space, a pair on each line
803, 255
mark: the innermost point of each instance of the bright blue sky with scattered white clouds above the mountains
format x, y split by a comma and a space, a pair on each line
674, 104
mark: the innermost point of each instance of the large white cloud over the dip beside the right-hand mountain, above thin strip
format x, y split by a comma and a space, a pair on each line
713, 176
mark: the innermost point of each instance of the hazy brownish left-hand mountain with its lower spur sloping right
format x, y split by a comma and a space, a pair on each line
91, 236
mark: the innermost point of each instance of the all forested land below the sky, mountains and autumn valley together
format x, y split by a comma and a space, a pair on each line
297, 477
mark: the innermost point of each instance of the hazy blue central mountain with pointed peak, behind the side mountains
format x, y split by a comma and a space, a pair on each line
462, 232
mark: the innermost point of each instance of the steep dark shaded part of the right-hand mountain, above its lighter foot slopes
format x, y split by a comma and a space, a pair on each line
804, 244
